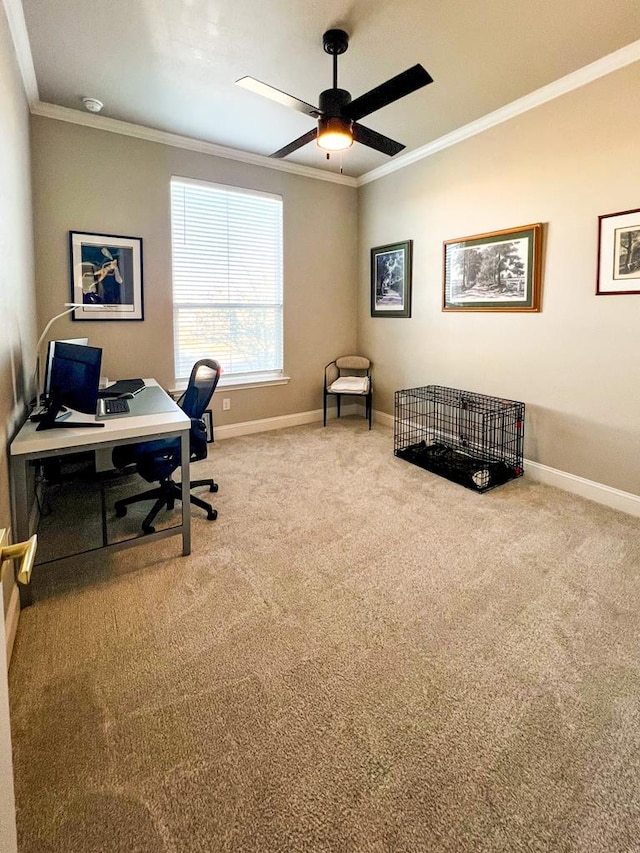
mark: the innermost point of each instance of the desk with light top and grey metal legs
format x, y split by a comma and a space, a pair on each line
156, 416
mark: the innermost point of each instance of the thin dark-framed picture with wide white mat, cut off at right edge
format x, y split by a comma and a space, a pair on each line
619, 253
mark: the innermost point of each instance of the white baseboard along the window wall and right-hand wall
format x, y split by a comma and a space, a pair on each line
598, 492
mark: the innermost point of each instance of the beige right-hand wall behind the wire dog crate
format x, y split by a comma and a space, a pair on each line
576, 364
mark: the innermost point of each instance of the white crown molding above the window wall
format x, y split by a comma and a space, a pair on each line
125, 128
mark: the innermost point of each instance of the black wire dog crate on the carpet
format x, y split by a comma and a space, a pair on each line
471, 439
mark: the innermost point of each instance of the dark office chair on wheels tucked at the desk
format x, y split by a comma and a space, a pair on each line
156, 461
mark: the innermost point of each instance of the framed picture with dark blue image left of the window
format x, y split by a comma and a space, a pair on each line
106, 276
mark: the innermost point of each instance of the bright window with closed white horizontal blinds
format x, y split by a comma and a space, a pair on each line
227, 279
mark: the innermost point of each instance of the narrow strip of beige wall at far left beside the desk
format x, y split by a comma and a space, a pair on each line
17, 298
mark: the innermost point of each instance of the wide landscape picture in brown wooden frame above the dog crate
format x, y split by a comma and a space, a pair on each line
498, 271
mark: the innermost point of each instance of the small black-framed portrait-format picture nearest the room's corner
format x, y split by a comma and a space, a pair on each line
391, 280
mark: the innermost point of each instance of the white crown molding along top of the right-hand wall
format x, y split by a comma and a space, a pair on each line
600, 68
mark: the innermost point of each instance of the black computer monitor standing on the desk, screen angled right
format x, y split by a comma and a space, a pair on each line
75, 377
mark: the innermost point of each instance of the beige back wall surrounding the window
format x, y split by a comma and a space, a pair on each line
90, 180
